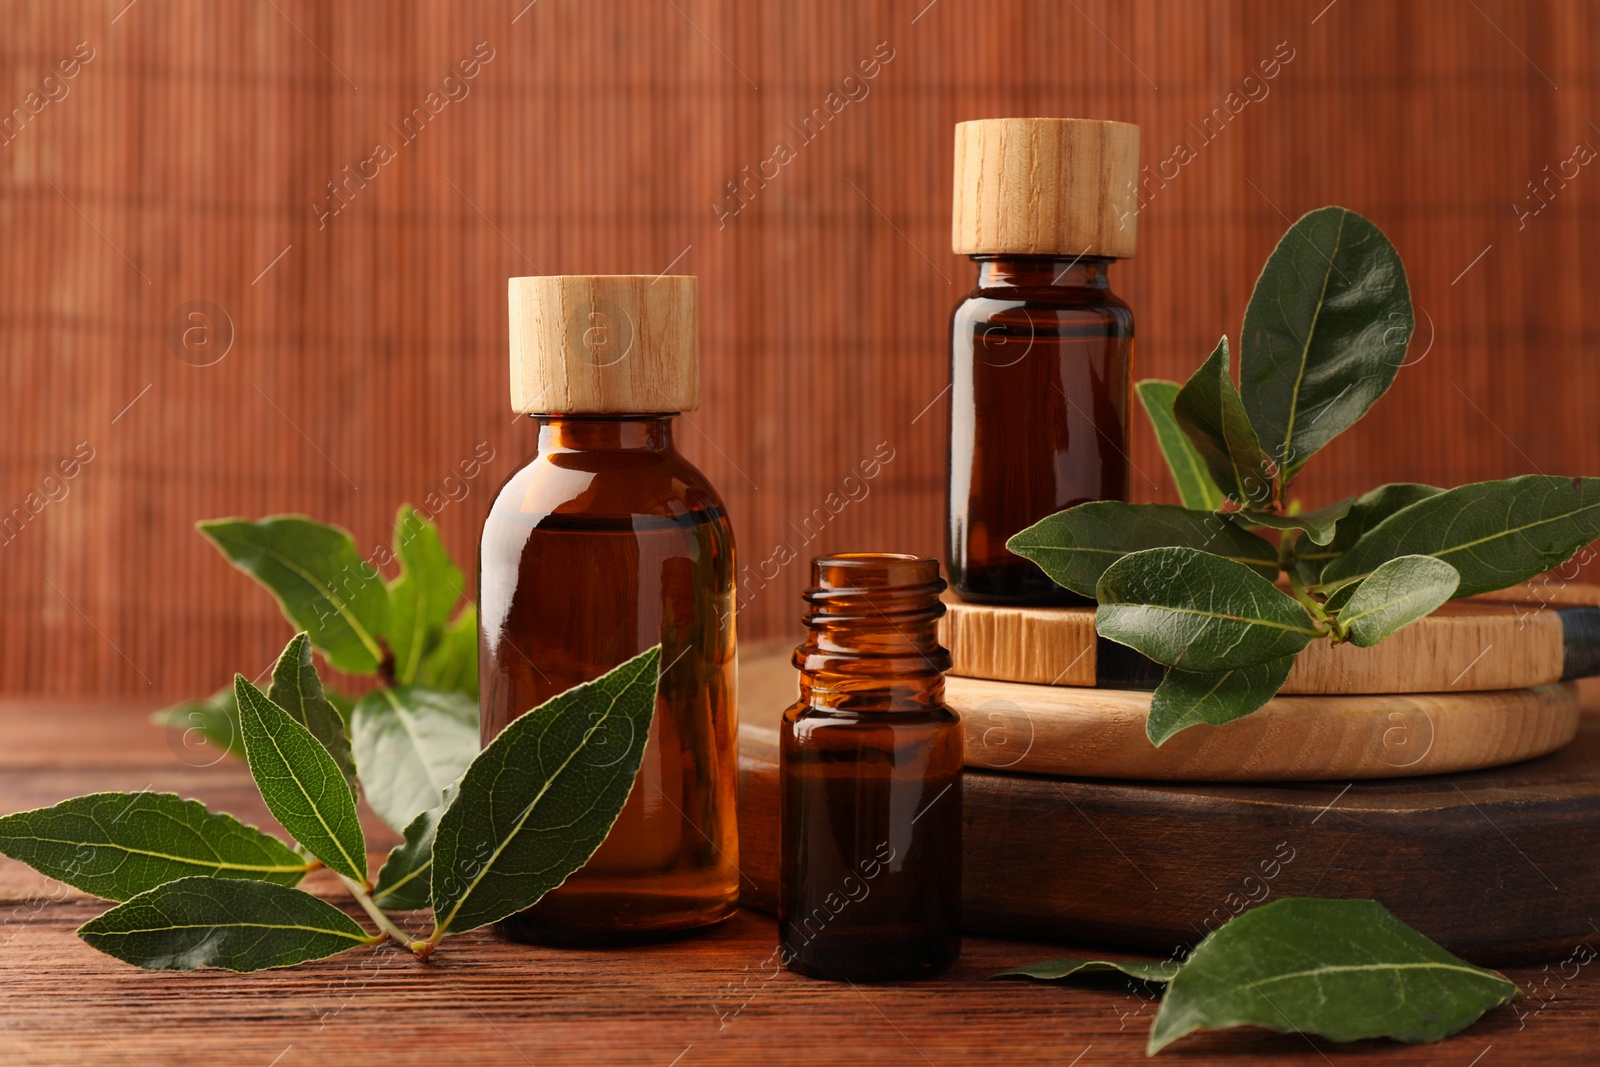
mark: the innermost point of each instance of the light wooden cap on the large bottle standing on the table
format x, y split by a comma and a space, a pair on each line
591, 345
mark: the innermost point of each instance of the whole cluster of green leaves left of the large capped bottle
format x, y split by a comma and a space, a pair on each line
487, 834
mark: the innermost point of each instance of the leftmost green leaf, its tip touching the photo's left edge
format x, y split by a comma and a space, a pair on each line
119, 845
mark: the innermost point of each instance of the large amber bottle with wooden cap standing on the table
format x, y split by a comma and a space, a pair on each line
604, 545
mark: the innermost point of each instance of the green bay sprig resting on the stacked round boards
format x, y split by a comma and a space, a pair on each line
1230, 588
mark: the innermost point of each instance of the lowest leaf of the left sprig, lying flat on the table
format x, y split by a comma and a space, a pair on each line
217, 922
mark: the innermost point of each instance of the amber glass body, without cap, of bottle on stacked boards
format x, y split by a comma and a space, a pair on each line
1041, 372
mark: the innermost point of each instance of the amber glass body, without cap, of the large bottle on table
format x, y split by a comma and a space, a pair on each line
607, 543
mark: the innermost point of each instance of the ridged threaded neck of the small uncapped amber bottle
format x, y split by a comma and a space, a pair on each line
873, 641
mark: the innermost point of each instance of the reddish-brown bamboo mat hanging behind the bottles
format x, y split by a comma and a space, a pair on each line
188, 161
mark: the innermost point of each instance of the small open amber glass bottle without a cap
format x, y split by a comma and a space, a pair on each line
871, 778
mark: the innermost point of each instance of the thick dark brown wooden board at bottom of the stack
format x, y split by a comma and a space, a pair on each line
1498, 866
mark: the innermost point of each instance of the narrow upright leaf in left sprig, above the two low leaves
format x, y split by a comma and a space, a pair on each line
302, 785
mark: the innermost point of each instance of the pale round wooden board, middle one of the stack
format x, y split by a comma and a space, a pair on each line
1100, 733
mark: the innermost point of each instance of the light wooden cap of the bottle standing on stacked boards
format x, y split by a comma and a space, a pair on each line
1046, 188
